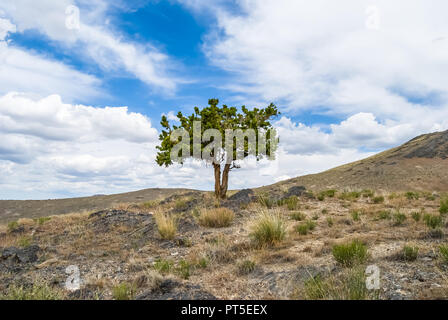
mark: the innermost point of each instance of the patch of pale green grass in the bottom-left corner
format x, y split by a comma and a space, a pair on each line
38, 291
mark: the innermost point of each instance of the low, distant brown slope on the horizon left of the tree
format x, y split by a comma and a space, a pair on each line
14, 209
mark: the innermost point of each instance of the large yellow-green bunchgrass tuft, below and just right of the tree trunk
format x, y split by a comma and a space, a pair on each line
268, 229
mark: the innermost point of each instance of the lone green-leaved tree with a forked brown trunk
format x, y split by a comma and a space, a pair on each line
203, 134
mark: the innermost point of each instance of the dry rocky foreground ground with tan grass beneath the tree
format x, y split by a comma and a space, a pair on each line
120, 253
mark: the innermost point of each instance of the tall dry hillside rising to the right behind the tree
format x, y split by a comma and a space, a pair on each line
420, 164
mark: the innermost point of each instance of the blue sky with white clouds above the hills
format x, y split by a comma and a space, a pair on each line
83, 85
